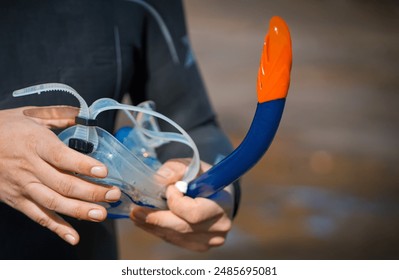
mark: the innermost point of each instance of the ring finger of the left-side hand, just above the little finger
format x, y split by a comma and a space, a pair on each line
67, 206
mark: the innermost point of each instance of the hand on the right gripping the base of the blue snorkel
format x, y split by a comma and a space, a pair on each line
196, 224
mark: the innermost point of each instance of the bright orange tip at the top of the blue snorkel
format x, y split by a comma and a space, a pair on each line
275, 63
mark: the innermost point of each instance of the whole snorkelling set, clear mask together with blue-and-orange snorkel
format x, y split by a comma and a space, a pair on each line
131, 157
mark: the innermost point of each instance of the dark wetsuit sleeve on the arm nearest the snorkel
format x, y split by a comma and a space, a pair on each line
174, 82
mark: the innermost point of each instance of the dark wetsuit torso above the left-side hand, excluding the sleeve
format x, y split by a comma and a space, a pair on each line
90, 45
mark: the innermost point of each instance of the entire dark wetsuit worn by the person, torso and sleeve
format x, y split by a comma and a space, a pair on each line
101, 48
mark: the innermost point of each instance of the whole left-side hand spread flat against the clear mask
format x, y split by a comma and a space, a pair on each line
36, 171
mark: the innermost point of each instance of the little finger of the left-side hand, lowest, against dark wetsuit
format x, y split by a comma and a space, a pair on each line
50, 220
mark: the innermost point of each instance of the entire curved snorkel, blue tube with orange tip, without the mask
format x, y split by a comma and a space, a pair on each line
272, 88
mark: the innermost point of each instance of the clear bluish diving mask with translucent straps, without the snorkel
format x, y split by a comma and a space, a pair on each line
131, 161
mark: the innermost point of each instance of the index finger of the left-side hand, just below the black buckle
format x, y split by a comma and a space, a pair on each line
59, 155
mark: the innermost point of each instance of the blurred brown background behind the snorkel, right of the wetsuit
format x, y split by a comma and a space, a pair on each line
329, 186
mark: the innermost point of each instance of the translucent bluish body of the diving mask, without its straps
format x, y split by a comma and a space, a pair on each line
139, 184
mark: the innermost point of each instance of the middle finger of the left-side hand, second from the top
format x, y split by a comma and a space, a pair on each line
73, 187
